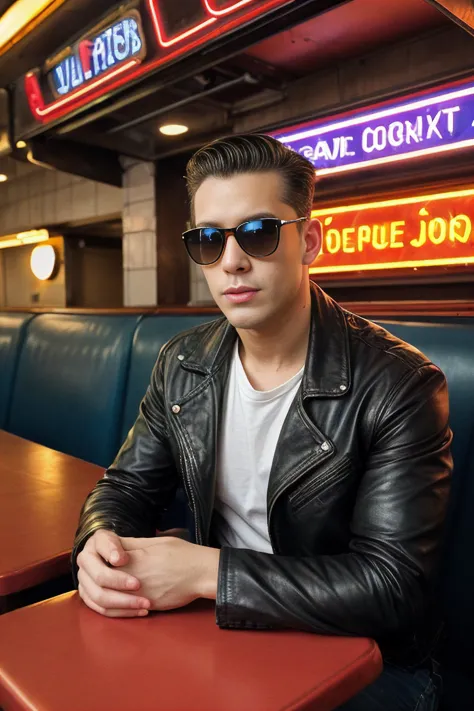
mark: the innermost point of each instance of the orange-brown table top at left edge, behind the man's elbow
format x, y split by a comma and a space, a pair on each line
41, 494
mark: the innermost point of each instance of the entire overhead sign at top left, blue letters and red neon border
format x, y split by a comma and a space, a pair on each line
179, 28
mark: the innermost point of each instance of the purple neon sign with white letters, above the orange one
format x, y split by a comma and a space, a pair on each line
433, 123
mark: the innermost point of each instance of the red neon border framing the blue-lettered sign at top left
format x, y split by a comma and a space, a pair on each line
215, 19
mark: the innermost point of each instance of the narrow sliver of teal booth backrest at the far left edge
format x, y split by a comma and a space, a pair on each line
12, 332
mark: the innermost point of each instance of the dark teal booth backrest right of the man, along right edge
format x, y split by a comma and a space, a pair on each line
451, 347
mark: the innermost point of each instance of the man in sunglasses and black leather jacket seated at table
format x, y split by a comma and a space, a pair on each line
313, 446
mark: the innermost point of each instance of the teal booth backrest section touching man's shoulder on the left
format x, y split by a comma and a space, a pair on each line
151, 334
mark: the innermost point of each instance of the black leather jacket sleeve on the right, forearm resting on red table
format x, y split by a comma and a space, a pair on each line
380, 585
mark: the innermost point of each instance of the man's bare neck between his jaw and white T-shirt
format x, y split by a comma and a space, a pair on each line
271, 356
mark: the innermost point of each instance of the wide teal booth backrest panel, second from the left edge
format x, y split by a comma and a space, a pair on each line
70, 384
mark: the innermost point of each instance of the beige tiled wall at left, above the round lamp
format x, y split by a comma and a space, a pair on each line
36, 197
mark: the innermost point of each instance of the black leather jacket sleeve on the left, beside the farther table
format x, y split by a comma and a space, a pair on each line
141, 482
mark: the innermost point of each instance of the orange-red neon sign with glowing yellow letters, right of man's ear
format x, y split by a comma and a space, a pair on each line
429, 230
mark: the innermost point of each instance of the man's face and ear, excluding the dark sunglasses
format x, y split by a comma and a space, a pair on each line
276, 283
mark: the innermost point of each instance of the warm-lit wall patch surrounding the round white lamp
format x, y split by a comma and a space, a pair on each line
22, 288
